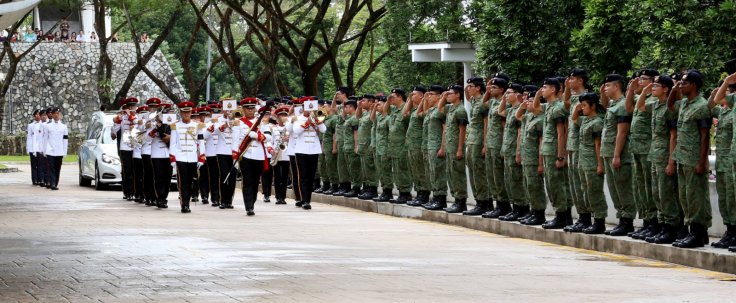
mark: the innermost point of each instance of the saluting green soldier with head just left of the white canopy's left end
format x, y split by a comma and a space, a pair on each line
398, 124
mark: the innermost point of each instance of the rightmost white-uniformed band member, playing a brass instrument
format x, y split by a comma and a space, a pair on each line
307, 130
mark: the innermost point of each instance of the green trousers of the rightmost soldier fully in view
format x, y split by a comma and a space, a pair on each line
694, 196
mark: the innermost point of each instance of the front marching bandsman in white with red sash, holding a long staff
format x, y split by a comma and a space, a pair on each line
254, 160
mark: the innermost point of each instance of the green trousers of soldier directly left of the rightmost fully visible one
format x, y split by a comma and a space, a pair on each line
665, 187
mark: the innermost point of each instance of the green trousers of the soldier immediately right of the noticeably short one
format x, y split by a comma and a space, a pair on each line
620, 189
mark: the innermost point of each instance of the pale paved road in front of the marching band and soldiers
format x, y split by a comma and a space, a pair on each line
80, 245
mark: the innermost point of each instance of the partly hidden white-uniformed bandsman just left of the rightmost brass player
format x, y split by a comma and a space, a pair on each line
280, 136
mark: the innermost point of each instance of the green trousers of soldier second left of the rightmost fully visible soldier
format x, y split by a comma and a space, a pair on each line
643, 190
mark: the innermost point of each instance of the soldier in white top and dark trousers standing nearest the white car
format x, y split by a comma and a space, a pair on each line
57, 143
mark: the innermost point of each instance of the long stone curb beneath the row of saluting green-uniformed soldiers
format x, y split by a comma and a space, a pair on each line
708, 258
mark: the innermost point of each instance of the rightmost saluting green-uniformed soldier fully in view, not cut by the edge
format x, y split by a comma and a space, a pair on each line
691, 154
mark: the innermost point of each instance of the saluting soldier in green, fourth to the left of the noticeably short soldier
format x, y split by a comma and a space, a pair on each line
513, 172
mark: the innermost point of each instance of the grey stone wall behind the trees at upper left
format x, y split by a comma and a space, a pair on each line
64, 75
